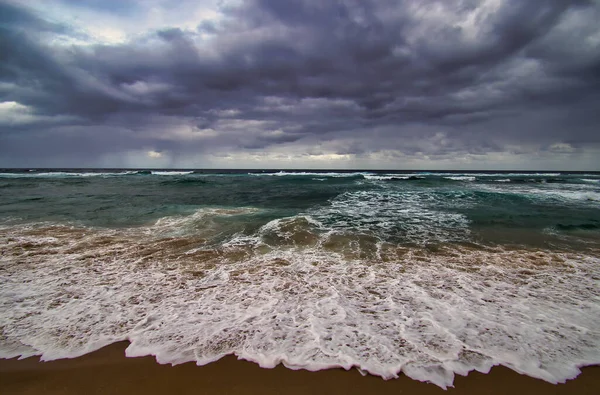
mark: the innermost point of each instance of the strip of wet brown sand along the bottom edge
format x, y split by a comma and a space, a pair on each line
108, 371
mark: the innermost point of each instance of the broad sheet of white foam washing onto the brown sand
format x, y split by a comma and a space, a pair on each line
427, 315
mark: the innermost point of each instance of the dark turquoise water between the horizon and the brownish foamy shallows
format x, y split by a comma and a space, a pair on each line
522, 208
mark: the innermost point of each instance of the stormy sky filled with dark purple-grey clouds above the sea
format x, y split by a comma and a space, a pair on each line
312, 84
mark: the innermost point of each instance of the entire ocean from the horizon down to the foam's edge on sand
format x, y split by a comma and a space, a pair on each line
428, 274
